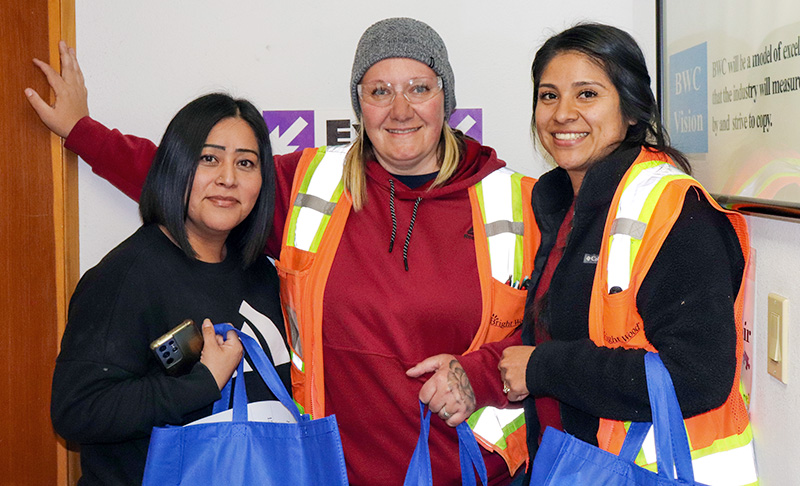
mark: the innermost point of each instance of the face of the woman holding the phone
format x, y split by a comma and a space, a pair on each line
226, 185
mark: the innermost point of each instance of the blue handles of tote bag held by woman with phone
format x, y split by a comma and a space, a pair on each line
265, 369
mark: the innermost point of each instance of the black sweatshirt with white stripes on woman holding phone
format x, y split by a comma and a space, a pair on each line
109, 390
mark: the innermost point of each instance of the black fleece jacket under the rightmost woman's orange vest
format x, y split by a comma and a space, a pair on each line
686, 302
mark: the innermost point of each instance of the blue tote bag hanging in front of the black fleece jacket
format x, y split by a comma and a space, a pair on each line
565, 460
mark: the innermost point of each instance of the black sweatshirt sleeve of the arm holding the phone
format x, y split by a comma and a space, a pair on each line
107, 385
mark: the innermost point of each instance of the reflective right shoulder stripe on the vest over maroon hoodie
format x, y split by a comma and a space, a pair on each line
501, 229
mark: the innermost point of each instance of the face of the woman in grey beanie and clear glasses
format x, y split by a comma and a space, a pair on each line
404, 136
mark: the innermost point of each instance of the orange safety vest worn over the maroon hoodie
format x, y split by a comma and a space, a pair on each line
310, 239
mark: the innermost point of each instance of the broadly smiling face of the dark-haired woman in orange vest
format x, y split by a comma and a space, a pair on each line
578, 116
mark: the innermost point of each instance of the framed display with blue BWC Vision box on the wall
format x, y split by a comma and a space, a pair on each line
729, 82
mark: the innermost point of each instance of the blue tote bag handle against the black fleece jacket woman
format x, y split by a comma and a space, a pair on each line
672, 444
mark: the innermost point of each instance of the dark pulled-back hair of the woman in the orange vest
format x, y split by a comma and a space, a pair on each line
618, 54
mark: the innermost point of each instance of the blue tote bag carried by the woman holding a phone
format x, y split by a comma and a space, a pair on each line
242, 452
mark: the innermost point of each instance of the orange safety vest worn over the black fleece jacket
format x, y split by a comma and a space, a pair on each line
646, 204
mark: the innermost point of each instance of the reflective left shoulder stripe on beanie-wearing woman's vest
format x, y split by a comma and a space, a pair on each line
316, 202
